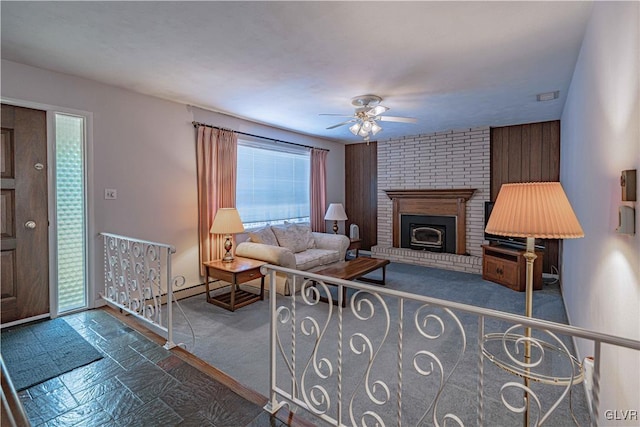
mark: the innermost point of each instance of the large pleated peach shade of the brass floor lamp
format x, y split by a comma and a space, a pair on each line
534, 209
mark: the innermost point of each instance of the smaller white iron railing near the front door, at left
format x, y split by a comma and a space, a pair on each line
133, 274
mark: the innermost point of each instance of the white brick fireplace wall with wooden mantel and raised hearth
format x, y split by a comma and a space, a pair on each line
445, 173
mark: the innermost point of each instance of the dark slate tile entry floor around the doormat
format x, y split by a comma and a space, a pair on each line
139, 383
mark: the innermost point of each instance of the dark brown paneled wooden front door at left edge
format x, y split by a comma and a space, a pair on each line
24, 223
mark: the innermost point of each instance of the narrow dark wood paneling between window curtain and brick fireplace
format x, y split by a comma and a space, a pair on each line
361, 191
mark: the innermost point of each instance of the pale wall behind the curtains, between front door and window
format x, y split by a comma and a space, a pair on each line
145, 148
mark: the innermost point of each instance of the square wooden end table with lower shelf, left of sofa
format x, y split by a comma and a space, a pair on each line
239, 271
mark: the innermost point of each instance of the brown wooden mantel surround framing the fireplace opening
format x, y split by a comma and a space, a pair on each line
446, 202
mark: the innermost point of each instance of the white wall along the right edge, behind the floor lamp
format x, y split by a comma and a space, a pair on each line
600, 138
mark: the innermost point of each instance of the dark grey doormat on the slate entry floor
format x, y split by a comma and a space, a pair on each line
40, 351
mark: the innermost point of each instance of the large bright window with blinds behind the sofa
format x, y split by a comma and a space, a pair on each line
272, 184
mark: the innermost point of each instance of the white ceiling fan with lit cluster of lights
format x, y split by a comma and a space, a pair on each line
367, 114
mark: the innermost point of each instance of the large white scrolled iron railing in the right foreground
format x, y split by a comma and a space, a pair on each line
395, 358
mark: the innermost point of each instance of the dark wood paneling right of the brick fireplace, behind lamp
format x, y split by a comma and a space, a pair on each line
527, 153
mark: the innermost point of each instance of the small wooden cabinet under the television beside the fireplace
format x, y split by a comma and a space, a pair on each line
508, 267
